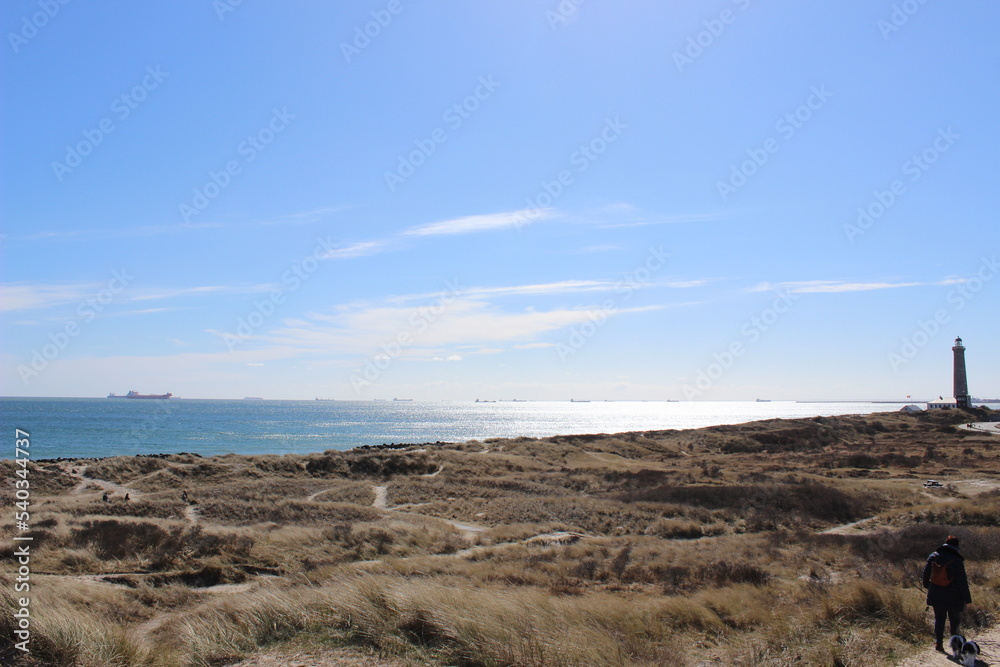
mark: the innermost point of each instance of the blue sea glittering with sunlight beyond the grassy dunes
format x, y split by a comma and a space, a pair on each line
98, 427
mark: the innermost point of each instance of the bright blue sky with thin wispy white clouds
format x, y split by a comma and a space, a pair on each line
532, 199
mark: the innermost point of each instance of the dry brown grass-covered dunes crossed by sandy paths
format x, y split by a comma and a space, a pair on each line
684, 547
